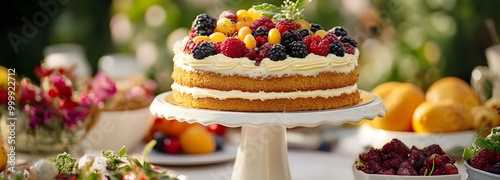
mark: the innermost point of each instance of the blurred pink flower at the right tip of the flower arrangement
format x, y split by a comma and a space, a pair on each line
103, 86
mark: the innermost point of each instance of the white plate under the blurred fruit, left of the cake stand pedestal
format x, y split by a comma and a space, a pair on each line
228, 153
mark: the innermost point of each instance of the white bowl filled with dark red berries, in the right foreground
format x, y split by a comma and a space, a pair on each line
360, 175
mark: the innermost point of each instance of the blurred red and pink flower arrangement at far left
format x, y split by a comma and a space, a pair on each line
55, 113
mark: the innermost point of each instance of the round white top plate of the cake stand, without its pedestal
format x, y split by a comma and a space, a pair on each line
371, 106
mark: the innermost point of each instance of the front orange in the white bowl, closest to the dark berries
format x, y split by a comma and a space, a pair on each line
441, 117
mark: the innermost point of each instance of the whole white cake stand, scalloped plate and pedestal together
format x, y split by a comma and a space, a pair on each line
263, 153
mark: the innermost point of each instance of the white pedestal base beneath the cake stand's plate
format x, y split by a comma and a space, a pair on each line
262, 154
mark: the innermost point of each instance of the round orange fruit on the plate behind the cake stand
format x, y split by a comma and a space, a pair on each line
197, 140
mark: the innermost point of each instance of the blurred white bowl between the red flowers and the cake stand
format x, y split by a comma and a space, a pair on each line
115, 129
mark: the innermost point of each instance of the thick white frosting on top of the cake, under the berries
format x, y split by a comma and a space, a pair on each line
311, 65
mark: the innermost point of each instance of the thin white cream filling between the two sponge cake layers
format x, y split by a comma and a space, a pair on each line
211, 93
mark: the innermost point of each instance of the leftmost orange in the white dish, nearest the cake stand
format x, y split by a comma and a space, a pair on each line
400, 99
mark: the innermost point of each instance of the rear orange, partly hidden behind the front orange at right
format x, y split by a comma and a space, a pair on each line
452, 88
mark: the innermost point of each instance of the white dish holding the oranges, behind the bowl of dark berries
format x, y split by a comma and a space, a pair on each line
452, 143
